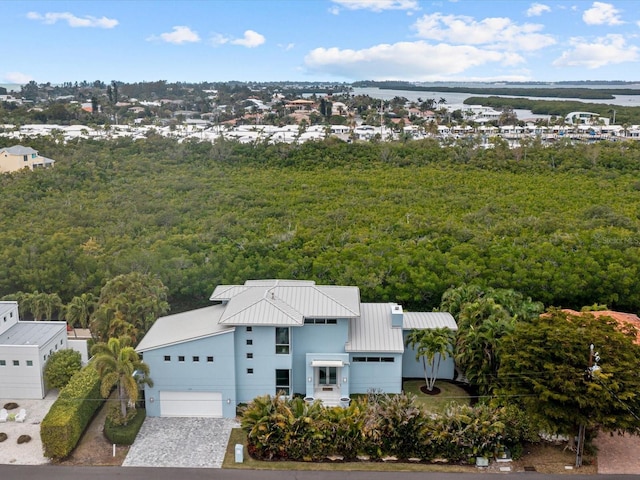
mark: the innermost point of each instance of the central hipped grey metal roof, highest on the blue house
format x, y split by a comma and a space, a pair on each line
285, 302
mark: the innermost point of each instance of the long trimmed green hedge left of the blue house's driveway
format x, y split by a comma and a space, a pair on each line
70, 414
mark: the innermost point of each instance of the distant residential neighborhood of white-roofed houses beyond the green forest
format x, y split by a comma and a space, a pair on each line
275, 113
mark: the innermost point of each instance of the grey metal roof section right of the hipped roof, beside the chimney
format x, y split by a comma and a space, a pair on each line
372, 332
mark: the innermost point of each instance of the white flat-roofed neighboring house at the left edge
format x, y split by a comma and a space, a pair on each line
24, 350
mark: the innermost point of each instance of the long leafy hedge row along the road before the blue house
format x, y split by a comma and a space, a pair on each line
380, 426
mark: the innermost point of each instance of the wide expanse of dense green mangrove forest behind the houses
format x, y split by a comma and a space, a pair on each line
403, 221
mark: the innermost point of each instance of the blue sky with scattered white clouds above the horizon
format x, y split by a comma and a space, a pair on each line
319, 40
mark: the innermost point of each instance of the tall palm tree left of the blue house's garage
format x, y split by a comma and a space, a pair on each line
119, 365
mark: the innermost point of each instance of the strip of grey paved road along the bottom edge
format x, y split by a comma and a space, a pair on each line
15, 472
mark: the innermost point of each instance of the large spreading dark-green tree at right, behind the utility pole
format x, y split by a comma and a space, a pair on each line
545, 366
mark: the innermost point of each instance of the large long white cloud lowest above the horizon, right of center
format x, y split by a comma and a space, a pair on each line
419, 61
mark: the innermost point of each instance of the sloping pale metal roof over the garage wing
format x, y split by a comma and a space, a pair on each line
184, 327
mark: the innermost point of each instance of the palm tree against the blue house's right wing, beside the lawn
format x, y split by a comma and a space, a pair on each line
431, 345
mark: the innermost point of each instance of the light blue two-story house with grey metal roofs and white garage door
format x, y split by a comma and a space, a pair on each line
271, 336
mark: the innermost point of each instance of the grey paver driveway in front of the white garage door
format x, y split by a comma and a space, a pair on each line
181, 442
